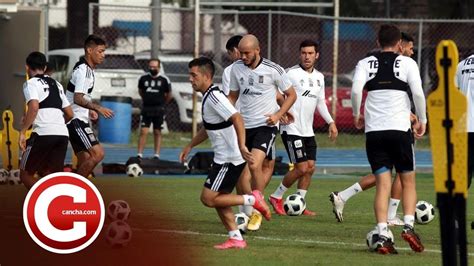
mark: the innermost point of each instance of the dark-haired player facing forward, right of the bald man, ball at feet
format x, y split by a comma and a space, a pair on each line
298, 136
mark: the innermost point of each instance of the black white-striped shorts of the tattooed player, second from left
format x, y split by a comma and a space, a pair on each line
81, 135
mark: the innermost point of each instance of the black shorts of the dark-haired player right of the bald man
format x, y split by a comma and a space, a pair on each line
299, 149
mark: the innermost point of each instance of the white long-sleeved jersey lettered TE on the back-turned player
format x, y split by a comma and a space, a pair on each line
388, 109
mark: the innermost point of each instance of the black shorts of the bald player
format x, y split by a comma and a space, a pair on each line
261, 138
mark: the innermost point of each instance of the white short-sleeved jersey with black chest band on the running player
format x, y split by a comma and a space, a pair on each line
217, 109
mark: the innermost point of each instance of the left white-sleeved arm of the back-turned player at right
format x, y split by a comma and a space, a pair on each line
356, 94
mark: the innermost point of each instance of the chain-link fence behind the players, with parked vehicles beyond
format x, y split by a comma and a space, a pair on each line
128, 30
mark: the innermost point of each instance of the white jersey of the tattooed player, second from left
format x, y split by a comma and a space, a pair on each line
82, 81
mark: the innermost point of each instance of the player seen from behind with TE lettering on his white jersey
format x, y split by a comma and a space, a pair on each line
387, 76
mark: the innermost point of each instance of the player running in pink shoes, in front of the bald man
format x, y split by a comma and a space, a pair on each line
224, 127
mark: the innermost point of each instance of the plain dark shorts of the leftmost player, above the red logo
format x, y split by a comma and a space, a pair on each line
44, 153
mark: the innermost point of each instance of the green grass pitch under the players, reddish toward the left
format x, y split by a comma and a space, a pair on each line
169, 208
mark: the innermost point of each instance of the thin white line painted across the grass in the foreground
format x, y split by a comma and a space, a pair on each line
307, 241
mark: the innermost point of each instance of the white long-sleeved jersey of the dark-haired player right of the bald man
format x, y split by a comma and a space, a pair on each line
310, 93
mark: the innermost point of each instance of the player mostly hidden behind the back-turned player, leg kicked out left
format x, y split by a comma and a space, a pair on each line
339, 199
